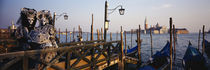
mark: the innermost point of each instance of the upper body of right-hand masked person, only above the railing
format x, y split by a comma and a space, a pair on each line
44, 35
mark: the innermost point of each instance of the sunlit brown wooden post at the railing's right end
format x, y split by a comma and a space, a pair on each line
121, 64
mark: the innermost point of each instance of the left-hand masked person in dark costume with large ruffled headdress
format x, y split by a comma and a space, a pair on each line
26, 22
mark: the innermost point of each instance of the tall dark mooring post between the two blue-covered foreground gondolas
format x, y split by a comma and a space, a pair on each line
170, 21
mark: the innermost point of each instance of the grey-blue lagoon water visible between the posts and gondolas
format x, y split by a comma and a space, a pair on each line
159, 41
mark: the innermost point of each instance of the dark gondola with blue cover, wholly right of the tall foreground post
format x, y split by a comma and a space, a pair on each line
193, 59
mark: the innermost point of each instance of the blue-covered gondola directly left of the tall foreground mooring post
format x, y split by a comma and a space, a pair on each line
159, 60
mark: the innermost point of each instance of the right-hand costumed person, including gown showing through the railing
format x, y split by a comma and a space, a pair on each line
43, 36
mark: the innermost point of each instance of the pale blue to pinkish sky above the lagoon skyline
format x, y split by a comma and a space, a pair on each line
190, 14
